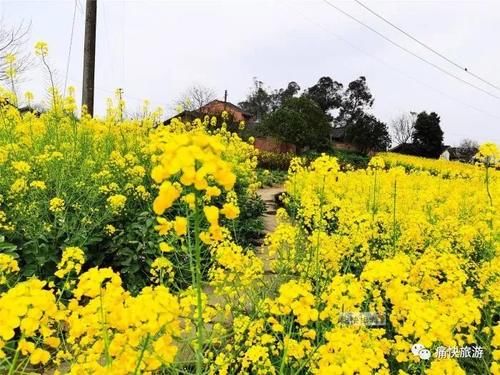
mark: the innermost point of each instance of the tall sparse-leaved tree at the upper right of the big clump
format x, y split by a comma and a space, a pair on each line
356, 99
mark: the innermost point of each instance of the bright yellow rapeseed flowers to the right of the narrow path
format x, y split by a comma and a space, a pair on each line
409, 241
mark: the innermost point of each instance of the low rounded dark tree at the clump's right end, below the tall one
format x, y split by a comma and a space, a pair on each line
368, 134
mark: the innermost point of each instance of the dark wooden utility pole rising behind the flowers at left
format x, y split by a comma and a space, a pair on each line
89, 56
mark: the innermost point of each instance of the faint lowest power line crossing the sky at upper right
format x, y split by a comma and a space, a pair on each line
394, 68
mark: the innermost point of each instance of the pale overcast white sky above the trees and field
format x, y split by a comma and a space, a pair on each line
156, 49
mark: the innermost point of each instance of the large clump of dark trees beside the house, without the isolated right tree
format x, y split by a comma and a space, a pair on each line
305, 118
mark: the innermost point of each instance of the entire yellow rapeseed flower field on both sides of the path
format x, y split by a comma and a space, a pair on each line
122, 252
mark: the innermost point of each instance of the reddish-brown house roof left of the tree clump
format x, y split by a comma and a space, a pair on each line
214, 108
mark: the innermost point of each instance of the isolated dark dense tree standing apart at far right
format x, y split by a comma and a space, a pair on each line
427, 135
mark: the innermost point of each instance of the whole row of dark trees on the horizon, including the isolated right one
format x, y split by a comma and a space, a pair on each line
306, 118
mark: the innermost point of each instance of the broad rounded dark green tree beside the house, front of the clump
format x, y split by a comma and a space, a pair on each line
299, 121
